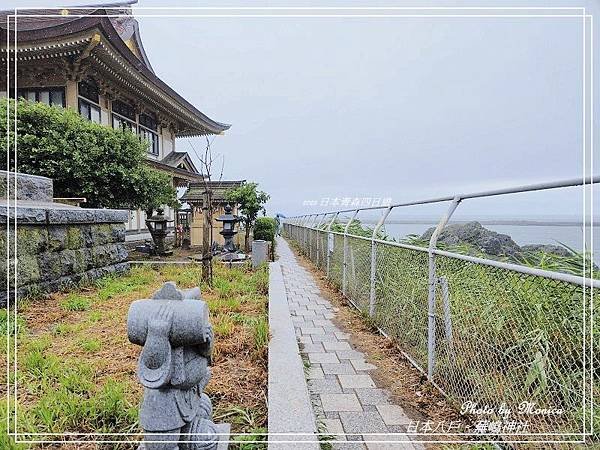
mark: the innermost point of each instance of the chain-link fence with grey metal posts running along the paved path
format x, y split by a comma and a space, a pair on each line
484, 331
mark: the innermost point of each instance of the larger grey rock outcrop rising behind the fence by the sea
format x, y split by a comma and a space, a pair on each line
475, 234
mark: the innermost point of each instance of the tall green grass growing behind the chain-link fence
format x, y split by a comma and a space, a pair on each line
515, 337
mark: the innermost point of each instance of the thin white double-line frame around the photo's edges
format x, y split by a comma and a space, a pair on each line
587, 118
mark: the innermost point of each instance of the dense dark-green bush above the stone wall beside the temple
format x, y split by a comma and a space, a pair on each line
106, 166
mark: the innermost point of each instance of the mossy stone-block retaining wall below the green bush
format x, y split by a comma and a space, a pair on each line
57, 245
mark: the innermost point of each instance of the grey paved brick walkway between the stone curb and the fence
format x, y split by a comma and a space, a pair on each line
344, 396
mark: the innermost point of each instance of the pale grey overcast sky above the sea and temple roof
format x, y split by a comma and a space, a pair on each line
400, 108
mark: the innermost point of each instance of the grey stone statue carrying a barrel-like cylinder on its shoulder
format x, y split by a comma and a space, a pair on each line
176, 336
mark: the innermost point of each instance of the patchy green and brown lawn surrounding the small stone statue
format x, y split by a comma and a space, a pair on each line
76, 372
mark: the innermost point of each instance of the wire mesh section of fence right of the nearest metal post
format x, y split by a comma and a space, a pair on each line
511, 338
